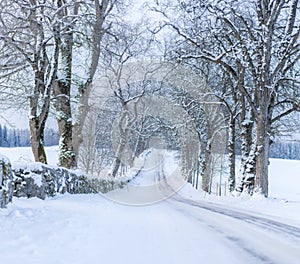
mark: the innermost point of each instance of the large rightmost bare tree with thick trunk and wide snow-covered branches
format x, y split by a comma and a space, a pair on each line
259, 38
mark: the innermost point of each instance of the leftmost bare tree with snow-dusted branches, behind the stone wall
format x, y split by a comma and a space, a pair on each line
28, 47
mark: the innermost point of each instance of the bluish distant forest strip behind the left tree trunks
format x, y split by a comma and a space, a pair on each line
10, 137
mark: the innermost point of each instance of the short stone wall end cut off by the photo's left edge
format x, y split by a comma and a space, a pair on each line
6, 182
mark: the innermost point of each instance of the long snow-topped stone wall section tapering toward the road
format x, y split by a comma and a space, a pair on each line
40, 180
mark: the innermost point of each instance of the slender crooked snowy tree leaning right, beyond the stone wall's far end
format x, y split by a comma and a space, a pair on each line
129, 43
